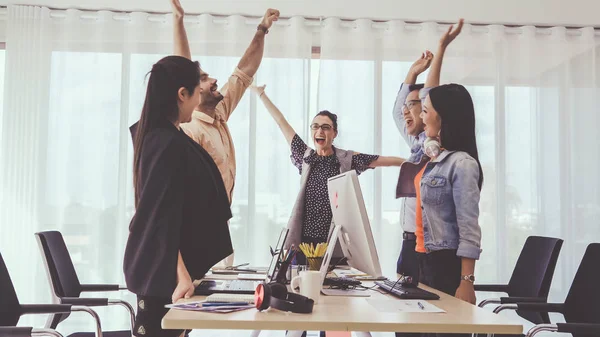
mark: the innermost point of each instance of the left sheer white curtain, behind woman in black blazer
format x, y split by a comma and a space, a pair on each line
75, 83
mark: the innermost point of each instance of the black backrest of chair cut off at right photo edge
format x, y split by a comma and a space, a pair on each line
582, 304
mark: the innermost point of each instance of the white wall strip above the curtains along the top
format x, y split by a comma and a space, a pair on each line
539, 12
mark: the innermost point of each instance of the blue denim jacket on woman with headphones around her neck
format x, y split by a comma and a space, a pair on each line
450, 204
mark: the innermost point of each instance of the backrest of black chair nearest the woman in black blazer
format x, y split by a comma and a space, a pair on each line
60, 270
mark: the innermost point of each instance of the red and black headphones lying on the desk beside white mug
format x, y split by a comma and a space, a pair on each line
275, 295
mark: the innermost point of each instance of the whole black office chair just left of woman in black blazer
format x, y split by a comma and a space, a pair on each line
65, 284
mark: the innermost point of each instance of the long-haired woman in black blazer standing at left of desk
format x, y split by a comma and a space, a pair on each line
180, 227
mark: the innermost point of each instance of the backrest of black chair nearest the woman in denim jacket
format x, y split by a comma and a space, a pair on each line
534, 271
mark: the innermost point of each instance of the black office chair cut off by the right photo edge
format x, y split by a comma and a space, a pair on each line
581, 308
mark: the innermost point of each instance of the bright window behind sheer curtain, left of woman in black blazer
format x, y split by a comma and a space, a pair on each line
81, 185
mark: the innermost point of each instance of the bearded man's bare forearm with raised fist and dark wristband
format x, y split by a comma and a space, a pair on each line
253, 56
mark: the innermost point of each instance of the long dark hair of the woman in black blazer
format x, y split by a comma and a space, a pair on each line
167, 76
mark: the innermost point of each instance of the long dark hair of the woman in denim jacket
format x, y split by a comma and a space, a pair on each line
455, 106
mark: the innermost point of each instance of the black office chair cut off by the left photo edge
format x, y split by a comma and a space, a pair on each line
11, 310
